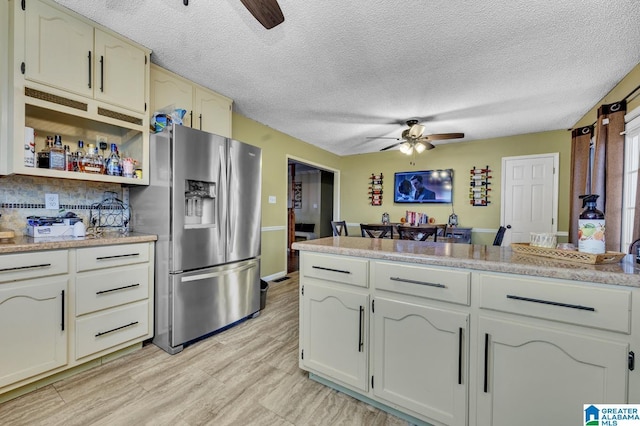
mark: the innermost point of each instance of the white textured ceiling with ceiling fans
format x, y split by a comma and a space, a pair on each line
336, 72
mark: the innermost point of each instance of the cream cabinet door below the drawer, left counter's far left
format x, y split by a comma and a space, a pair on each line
33, 331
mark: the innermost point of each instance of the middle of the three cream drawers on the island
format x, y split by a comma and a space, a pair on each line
448, 285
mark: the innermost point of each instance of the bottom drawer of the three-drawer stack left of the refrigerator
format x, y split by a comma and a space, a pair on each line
103, 330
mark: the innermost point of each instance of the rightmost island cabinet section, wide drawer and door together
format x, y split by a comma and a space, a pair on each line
546, 347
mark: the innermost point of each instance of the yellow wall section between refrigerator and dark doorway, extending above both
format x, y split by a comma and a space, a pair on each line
276, 148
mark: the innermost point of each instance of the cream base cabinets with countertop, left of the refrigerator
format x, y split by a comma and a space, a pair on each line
67, 304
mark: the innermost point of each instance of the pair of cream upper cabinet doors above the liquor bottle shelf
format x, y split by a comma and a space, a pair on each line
70, 54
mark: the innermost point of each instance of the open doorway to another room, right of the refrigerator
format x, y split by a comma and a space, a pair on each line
311, 205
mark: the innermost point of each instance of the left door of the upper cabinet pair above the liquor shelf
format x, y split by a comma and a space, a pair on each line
58, 49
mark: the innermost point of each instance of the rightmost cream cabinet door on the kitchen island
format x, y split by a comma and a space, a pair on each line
530, 375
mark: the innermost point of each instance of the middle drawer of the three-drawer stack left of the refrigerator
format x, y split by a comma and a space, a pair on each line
104, 289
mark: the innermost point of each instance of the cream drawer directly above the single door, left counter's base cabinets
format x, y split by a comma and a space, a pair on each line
21, 266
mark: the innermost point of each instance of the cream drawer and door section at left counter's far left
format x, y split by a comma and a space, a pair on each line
33, 314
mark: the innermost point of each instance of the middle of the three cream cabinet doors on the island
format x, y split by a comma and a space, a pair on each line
420, 358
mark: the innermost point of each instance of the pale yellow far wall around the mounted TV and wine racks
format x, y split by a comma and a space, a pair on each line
461, 157
